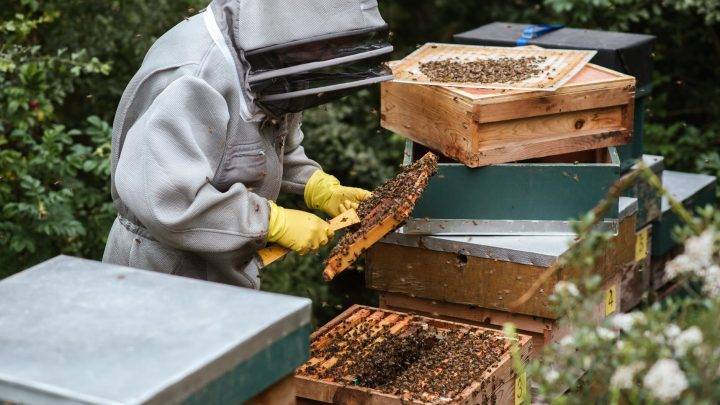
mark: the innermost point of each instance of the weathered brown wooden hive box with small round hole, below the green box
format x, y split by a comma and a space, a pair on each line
488, 283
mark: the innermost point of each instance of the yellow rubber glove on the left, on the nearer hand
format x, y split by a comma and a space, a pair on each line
297, 230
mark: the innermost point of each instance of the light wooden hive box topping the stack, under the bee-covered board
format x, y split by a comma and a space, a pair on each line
479, 127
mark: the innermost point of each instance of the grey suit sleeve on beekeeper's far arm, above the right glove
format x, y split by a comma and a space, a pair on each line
297, 167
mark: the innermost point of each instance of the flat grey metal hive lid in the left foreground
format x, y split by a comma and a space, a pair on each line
78, 331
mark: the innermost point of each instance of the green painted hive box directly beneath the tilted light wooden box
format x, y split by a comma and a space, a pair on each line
537, 197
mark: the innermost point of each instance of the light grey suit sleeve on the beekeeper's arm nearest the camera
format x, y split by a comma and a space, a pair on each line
164, 173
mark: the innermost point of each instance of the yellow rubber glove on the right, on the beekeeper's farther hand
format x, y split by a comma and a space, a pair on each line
325, 193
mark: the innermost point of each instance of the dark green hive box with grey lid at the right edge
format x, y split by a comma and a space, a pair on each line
693, 190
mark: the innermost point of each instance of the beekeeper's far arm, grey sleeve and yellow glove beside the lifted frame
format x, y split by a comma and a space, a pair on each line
303, 176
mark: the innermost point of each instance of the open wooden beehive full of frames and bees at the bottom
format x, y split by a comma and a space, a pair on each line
374, 356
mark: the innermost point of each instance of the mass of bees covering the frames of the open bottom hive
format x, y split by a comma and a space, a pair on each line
421, 362
